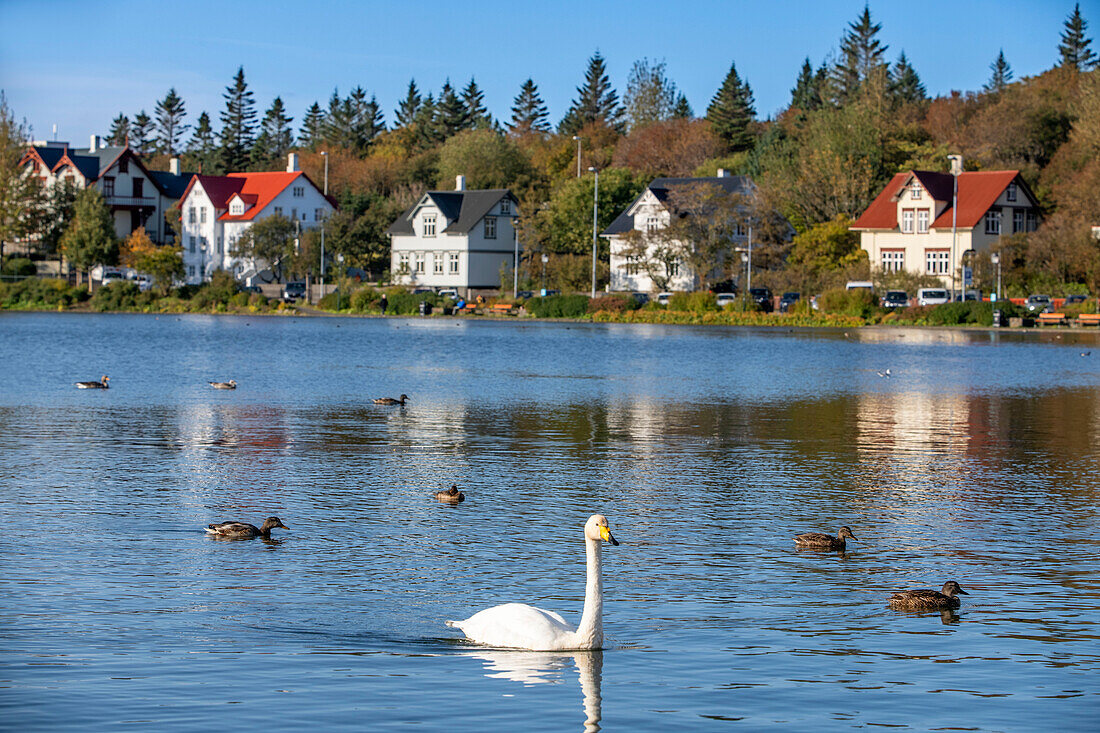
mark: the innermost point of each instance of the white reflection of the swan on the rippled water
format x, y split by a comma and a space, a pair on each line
549, 668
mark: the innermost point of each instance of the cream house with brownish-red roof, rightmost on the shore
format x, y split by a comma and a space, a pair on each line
910, 225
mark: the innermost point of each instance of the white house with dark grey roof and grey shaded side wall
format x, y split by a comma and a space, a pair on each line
459, 239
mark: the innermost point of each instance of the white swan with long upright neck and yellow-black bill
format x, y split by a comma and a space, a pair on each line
524, 627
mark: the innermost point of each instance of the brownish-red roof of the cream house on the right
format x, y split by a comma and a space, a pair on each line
978, 192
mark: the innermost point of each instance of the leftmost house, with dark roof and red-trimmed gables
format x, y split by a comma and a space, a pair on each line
137, 196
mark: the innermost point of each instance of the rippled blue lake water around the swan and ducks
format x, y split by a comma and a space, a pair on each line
708, 450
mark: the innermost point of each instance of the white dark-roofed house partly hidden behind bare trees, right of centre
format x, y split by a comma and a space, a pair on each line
650, 213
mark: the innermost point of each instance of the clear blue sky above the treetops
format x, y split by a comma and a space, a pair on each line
78, 64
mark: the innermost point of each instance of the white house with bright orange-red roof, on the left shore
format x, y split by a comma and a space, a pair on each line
216, 211
